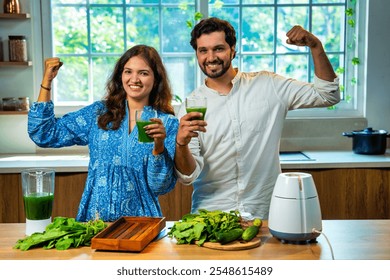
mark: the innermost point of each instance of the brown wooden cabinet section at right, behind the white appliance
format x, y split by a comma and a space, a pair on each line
352, 193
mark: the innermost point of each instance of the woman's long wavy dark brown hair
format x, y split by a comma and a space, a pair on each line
160, 97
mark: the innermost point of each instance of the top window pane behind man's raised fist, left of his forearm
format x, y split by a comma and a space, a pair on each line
287, 18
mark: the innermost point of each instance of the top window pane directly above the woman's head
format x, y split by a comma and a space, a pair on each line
142, 27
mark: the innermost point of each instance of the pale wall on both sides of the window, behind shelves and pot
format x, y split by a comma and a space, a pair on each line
298, 135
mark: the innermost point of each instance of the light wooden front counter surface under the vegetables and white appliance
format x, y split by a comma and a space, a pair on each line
349, 240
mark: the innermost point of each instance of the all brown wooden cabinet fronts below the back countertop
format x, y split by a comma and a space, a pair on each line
344, 193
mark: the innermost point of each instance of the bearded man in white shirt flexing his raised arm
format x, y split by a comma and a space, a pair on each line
235, 163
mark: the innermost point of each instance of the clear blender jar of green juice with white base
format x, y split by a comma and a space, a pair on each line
38, 197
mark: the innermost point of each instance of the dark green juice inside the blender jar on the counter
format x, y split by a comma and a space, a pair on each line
38, 206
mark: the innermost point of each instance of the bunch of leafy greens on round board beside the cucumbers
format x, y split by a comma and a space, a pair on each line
204, 227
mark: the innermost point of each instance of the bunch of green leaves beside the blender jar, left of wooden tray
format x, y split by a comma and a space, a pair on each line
63, 233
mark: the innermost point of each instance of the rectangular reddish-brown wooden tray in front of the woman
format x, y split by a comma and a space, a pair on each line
128, 234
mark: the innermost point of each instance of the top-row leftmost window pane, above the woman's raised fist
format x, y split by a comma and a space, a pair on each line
70, 38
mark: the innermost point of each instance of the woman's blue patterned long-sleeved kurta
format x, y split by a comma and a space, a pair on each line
124, 177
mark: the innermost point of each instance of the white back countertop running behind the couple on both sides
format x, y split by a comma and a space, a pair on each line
14, 163
